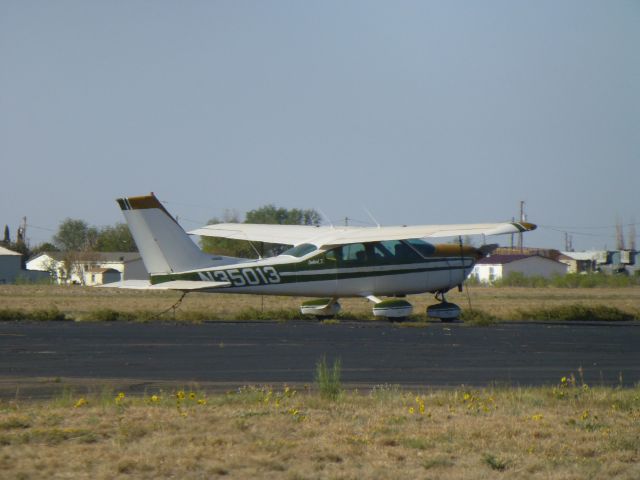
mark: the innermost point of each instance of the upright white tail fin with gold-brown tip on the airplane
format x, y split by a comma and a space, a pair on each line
163, 244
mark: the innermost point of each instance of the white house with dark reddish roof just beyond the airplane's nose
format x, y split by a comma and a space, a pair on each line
494, 267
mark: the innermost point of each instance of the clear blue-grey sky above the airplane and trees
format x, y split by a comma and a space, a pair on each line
419, 112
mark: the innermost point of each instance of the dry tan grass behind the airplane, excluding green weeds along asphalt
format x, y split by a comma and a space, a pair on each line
505, 303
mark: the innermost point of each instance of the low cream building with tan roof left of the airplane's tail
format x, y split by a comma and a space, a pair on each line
89, 268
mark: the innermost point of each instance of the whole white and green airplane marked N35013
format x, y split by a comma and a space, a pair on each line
325, 261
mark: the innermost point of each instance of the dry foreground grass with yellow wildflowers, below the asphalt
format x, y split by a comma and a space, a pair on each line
267, 432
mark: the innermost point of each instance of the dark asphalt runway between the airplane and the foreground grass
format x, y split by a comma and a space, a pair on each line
36, 357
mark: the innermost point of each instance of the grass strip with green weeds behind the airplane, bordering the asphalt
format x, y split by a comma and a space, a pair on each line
488, 305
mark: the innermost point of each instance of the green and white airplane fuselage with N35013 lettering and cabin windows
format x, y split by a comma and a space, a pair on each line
343, 272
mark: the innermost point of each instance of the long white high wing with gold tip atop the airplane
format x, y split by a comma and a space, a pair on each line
324, 236
